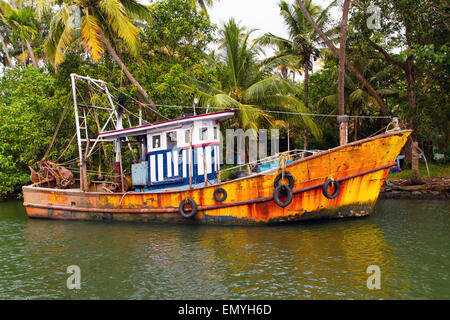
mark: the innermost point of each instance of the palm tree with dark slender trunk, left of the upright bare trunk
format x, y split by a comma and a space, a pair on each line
298, 52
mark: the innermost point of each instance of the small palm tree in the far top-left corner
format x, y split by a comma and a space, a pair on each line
22, 22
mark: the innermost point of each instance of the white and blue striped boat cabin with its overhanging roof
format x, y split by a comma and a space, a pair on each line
179, 153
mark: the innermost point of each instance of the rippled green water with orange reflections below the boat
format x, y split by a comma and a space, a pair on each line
408, 240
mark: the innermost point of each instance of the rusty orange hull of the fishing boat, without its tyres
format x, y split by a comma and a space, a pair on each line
360, 167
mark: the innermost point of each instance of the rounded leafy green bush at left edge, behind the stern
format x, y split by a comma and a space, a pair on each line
30, 106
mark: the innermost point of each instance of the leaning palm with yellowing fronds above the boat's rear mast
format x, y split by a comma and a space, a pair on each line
100, 23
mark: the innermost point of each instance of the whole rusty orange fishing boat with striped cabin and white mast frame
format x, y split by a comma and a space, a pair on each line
177, 176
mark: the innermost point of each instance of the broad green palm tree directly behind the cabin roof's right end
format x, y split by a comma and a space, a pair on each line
244, 85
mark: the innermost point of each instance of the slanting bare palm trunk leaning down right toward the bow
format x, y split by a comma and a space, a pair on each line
350, 66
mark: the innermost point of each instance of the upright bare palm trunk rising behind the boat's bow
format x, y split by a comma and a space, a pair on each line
343, 126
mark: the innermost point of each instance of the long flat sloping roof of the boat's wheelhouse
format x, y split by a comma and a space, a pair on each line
167, 125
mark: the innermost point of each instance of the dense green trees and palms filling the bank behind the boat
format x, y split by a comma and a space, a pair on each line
175, 54
